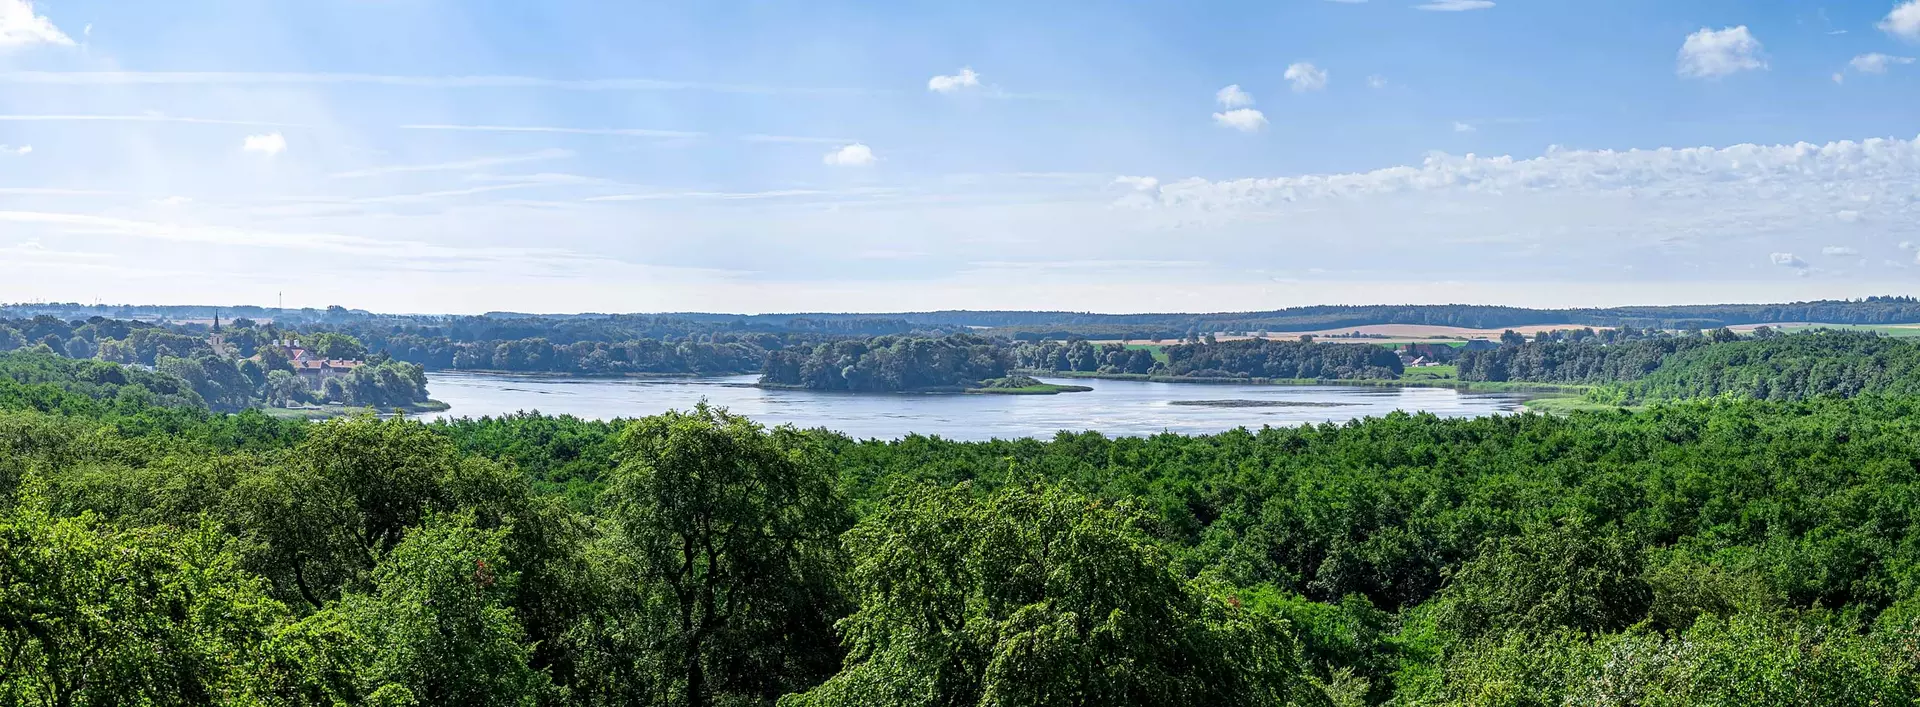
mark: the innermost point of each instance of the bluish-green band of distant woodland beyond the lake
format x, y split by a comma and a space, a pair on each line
1623, 366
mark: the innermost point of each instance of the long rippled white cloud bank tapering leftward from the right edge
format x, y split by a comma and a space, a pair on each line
1700, 193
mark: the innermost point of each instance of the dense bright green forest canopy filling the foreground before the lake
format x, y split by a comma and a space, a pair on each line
1702, 552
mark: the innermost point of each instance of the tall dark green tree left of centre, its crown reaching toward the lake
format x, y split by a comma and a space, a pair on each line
734, 533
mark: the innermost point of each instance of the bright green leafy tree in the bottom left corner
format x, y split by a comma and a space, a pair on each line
97, 616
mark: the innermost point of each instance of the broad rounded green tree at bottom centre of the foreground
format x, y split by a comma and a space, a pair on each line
1038, 597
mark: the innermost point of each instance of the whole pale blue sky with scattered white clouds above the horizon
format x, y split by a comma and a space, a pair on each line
863, 157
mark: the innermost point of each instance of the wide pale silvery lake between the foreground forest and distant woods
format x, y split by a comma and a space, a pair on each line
1116, 408
